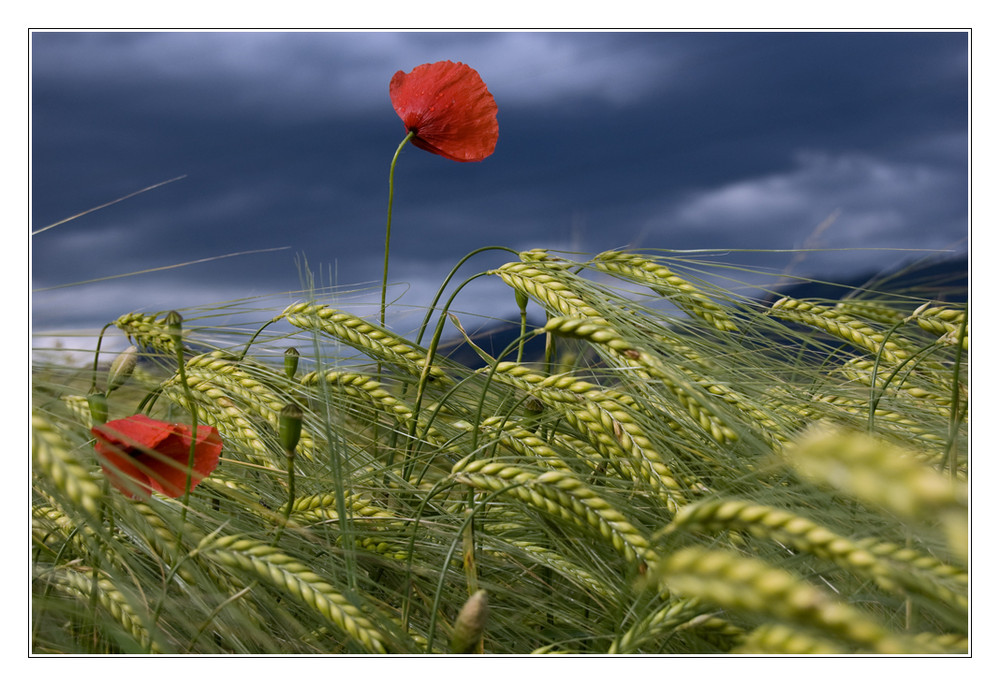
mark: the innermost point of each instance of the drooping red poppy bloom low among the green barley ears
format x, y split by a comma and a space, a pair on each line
141, 455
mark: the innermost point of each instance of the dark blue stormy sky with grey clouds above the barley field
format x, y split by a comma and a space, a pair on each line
684, 141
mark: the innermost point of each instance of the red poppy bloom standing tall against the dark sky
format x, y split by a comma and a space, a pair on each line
448, 107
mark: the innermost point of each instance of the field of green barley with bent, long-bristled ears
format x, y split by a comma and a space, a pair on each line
687, 471
